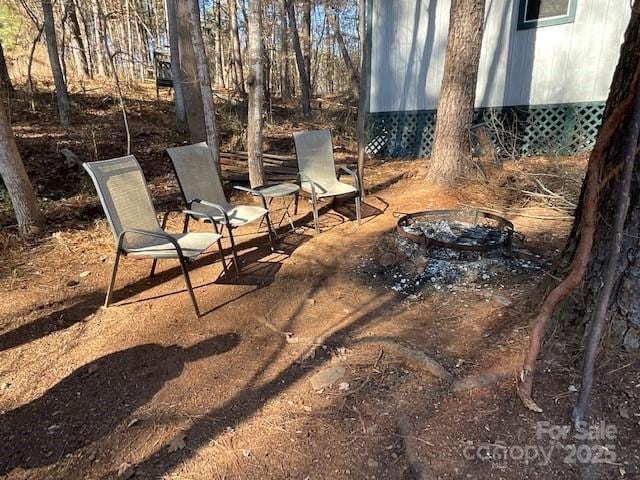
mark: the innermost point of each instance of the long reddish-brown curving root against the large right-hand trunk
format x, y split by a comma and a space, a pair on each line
583, 250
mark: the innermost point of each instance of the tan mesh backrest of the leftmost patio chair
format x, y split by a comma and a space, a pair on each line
124, 196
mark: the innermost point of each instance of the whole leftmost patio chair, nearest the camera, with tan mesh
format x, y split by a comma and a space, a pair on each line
127, 204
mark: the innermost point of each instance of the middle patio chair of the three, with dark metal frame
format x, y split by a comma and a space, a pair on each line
202, 190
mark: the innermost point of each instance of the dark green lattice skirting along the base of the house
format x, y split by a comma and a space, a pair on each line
562, 129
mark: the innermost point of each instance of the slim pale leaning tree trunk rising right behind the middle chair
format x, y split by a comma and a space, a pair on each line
204, 81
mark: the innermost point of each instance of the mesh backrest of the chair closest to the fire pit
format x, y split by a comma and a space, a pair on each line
314, 152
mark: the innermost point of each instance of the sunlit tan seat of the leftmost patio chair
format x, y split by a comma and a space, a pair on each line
192, 244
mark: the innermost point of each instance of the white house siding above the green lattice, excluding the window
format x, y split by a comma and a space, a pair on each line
567, 63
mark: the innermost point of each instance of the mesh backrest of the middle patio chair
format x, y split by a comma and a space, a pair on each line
197, 174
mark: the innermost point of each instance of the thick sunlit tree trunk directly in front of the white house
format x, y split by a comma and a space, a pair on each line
451, 148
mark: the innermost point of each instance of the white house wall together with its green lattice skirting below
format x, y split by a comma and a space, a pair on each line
546, 85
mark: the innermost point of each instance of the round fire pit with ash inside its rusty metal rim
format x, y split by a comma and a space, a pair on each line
465, 230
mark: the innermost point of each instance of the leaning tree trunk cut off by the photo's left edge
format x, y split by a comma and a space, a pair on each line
15, 179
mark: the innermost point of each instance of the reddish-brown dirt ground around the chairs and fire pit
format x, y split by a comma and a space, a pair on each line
144, 389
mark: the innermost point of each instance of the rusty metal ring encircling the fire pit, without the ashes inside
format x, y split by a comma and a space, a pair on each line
472, 216
